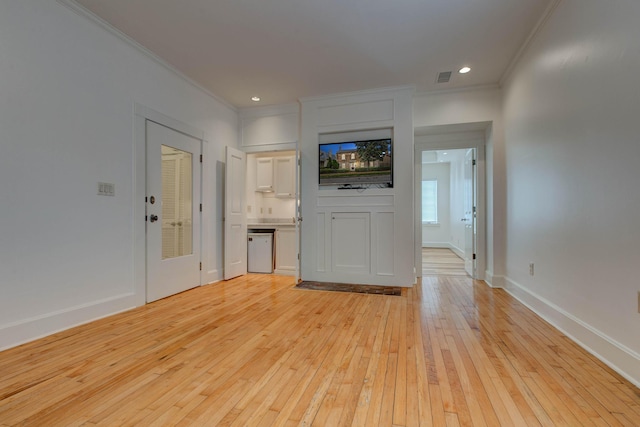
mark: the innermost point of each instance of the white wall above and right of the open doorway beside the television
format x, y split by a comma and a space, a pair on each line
435, 110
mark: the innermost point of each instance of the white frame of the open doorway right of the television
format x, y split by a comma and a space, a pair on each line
450, 137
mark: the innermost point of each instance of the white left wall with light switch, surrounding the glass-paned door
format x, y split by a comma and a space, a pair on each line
67, 117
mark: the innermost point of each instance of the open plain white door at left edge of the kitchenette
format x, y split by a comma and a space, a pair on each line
235, 224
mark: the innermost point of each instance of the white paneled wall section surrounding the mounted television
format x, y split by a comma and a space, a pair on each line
348, 117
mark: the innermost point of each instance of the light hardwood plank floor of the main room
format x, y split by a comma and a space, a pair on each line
255, 351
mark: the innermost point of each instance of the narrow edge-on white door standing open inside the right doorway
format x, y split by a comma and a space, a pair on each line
470, 212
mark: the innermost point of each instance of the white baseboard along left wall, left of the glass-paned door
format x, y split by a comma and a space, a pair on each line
17, 333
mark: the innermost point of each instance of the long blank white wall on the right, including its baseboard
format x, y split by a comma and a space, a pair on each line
573, 196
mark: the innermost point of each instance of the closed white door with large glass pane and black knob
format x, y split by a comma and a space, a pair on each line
172, 210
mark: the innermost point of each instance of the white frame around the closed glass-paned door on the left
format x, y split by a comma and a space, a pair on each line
141, 115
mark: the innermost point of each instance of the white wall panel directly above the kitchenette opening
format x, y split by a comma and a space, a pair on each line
269, 127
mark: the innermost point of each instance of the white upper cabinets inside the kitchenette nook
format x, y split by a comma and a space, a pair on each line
277, 175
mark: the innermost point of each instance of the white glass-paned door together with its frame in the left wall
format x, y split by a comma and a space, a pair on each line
168, 252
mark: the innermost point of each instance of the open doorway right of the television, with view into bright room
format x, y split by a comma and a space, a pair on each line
449, 200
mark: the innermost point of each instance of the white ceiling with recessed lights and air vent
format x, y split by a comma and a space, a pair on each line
283, 50
